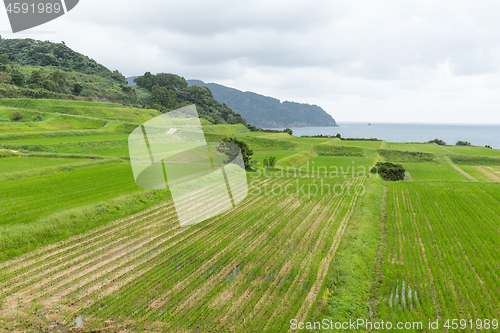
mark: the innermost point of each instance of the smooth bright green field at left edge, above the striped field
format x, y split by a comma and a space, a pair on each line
28, 200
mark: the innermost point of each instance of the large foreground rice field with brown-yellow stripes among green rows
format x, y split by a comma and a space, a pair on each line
250, 269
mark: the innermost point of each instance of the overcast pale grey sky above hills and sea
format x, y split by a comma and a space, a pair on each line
370, 61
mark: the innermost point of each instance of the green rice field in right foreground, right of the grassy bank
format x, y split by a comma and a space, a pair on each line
441, 260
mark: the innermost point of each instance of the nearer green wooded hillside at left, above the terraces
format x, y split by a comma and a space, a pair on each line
41, 69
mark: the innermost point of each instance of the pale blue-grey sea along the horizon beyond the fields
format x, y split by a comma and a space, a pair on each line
478, 135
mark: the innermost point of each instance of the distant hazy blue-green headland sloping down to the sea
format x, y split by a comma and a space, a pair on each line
263, 111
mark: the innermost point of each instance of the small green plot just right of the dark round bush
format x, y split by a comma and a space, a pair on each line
432, 172
